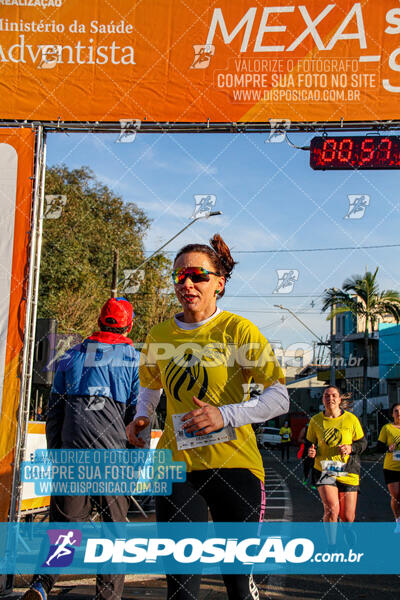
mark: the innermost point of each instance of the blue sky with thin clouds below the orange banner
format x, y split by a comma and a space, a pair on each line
271, 200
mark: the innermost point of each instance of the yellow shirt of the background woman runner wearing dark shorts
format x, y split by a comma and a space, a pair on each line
328, 434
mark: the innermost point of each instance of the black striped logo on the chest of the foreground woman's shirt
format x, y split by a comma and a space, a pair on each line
185, 373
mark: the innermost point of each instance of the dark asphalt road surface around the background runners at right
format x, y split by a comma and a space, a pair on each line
303, 504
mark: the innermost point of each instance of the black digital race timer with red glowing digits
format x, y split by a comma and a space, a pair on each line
355, 152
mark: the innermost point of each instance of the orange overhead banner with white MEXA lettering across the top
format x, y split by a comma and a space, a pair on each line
111, 60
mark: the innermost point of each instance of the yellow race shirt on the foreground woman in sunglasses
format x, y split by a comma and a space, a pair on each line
216, 363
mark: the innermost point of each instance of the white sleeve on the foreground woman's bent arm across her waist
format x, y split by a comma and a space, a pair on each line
274, 401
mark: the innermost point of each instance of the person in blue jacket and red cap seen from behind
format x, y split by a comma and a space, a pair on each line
92, 399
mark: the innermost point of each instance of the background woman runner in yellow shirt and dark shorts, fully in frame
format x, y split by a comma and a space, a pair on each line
336, 440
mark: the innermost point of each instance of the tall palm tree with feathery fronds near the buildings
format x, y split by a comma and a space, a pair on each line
361, 296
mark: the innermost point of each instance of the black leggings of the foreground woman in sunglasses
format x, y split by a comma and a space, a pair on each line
232, 495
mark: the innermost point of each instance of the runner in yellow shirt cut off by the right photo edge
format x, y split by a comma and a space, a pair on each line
389, 442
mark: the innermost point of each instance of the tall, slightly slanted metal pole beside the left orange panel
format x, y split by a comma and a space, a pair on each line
30, 319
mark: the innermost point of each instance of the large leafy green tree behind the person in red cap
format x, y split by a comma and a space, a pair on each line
77, 254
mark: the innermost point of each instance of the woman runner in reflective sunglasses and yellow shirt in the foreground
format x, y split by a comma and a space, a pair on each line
216, 354
